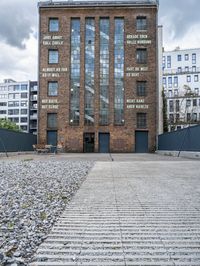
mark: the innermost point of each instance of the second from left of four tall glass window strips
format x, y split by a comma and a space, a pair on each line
89, 70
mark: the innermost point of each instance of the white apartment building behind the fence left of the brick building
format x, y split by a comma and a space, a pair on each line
18, 105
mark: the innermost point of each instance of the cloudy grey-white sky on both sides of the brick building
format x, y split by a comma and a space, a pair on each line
18, 33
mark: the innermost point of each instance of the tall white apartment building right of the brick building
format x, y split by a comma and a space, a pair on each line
181, 84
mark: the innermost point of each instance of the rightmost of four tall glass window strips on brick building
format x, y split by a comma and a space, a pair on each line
119, 71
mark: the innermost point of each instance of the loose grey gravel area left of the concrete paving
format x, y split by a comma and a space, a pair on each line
32, 195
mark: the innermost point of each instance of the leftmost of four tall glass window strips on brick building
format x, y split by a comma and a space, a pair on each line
75, 72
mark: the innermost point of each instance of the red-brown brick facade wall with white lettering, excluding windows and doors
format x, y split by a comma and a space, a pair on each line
122, 138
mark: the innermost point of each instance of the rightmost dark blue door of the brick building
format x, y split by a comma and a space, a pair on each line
141, 141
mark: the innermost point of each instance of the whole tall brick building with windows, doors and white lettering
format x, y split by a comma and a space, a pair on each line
98, 75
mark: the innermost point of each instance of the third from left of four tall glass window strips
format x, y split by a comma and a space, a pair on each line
104, 71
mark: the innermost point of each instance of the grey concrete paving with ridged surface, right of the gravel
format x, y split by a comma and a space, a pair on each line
130, 213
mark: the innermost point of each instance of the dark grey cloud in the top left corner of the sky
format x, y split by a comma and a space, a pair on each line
18, 20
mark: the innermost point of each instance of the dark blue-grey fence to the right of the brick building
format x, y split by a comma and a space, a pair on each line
187, 139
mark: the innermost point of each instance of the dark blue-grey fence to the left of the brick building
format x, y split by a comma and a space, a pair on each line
12, 141
